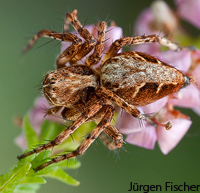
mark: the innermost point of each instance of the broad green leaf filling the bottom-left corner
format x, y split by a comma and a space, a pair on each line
14, 176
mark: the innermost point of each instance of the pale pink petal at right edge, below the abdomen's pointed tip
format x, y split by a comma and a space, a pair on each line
188, 97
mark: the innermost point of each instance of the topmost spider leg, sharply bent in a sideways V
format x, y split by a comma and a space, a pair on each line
86, 47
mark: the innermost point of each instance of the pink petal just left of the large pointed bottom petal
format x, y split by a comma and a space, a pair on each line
145, 138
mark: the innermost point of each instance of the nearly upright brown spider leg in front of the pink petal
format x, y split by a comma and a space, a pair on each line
99, 47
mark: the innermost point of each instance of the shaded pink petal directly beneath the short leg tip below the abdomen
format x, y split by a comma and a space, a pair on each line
126, 123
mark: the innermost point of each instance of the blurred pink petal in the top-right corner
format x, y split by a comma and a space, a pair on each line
189, 10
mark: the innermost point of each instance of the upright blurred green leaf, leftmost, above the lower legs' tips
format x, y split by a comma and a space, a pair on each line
31, 137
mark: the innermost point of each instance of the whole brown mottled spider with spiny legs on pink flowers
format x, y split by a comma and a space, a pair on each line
128, 79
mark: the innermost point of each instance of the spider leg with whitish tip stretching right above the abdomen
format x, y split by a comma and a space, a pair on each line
127, 41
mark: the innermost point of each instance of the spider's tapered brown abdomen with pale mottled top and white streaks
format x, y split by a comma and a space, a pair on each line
140, 79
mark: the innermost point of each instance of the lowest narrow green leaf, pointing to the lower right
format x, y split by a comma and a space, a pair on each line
59, 174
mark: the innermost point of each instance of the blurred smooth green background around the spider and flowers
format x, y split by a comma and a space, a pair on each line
101, 170
